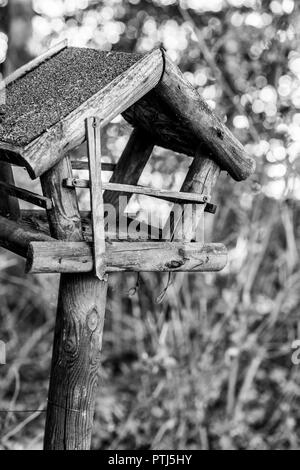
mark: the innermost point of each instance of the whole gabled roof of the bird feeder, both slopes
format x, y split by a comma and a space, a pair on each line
48, 100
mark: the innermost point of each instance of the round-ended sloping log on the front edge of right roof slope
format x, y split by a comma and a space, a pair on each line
188, 105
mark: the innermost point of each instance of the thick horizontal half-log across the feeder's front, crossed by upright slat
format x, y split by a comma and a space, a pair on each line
47, 257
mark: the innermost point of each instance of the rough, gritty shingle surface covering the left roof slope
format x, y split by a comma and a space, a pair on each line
50, 92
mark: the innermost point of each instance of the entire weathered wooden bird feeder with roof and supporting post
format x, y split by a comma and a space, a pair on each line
54, 104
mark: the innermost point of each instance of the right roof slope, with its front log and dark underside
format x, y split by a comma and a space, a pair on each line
176, 117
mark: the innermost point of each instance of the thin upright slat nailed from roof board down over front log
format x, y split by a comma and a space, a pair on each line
97, 204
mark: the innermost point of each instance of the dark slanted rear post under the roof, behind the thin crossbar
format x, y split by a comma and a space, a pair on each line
130, 165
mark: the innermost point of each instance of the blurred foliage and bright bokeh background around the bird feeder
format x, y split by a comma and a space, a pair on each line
210, 366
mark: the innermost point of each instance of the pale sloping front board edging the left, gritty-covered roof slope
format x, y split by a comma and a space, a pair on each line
108, 103
